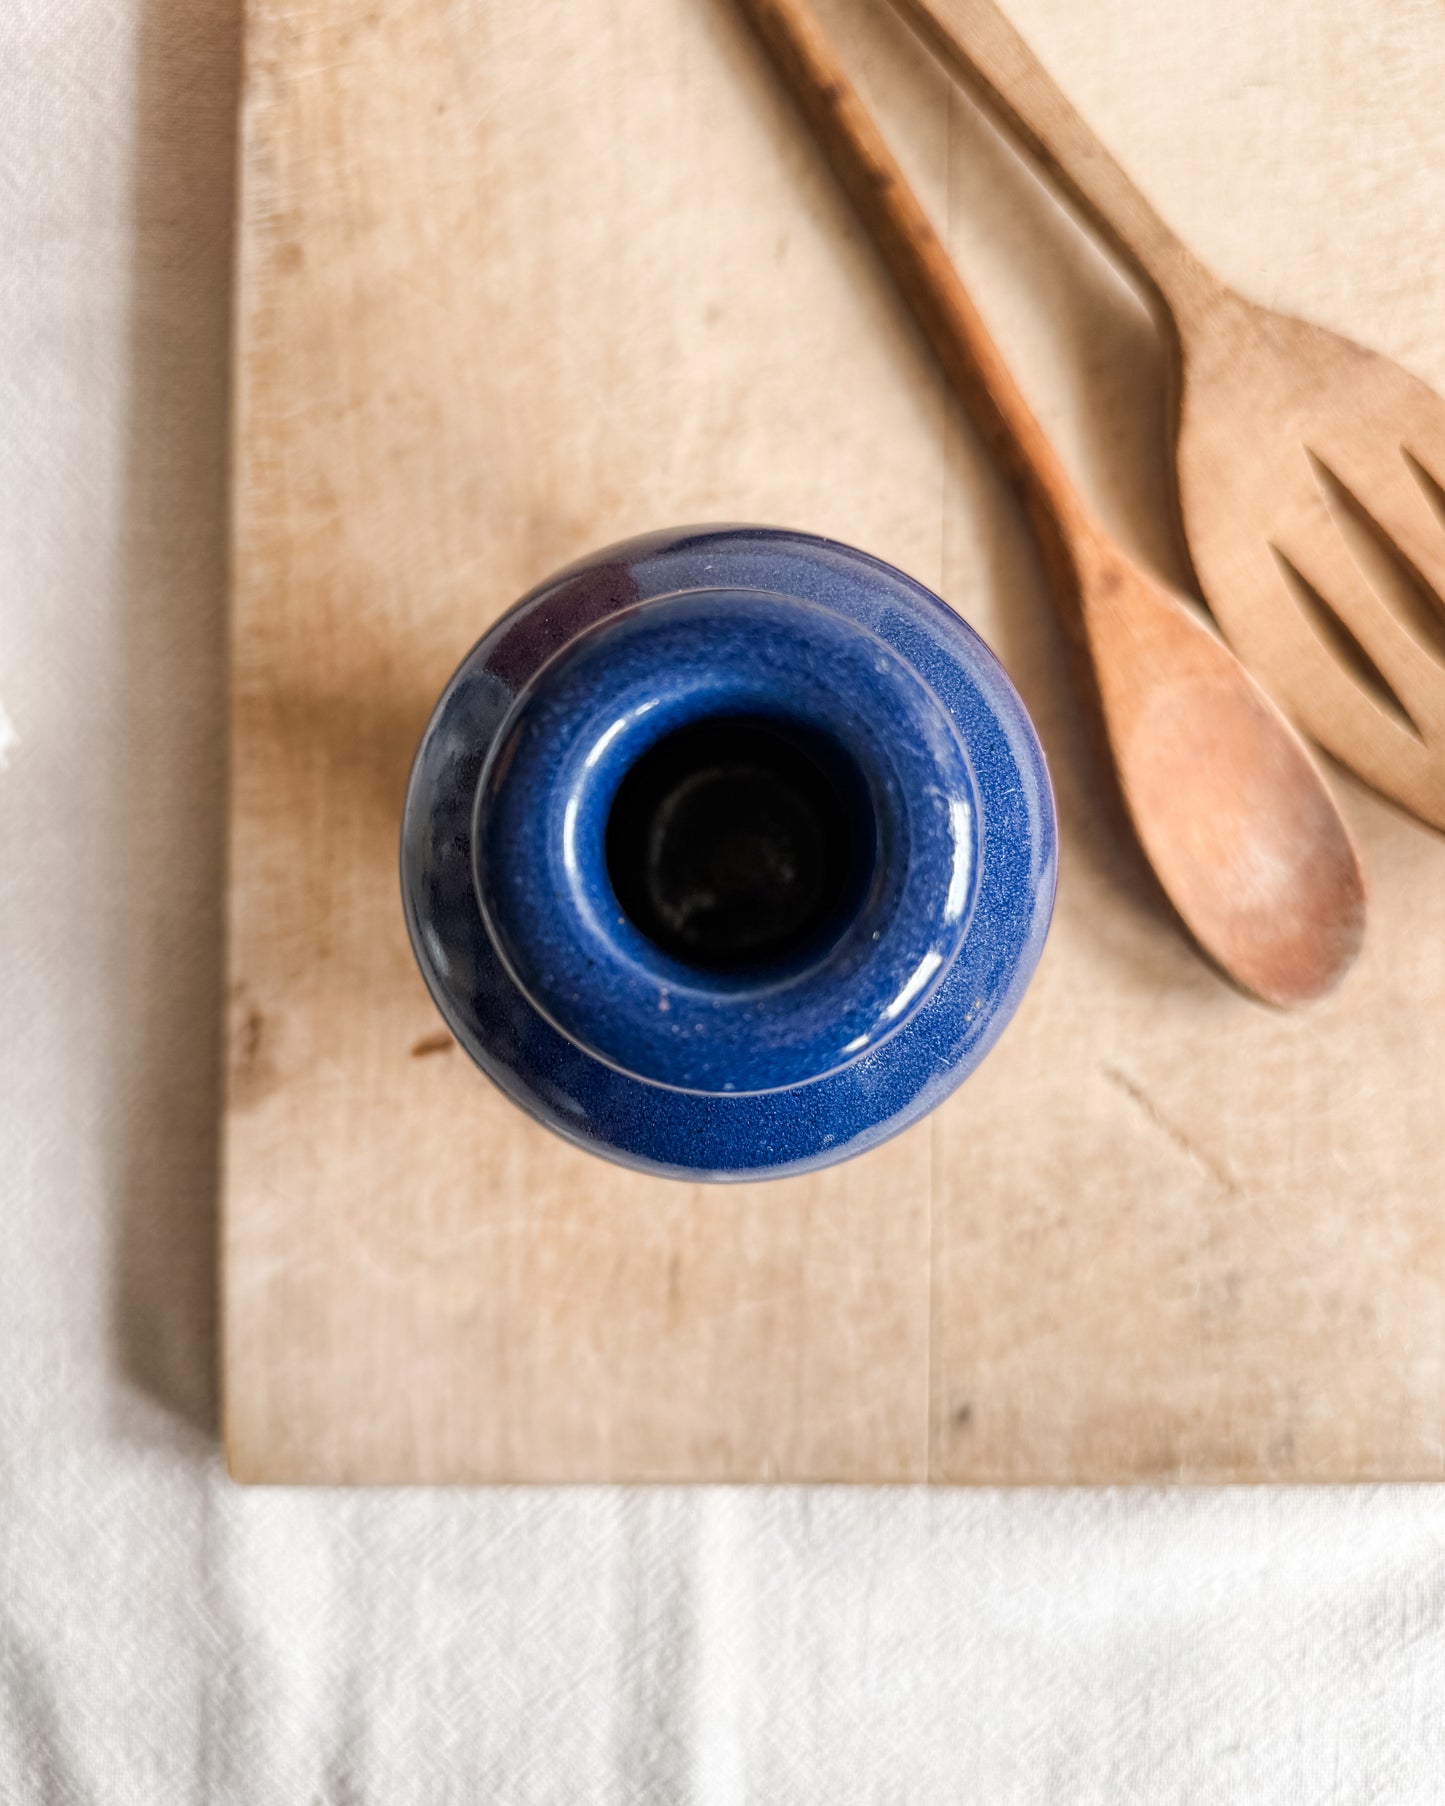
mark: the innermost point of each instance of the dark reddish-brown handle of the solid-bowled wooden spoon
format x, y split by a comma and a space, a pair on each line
924, 272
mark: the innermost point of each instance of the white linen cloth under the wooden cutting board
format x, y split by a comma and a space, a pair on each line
169, 1637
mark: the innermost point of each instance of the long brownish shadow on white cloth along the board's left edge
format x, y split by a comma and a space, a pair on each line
169, 774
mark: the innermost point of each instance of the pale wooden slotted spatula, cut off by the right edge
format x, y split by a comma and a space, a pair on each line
1310, 469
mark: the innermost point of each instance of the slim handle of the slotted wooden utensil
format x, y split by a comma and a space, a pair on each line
980, 46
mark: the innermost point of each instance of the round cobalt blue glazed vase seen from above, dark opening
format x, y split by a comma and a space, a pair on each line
729, 853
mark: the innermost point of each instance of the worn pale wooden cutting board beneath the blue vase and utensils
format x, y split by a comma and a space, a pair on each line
517, 281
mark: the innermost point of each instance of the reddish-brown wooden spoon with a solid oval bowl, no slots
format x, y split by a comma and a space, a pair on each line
1224, 796
